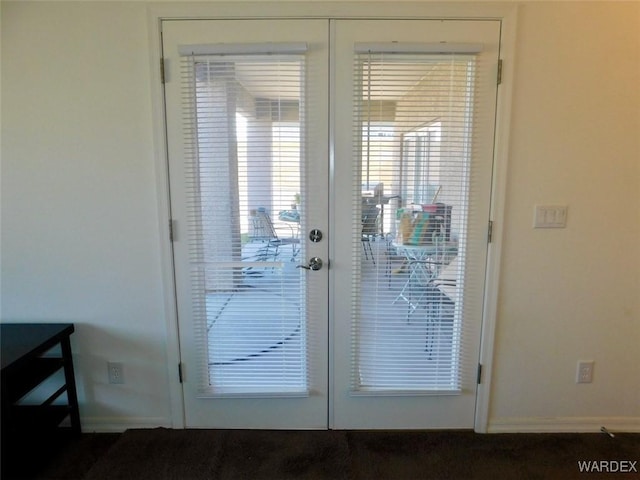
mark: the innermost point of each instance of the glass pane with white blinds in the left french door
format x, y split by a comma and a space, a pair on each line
246, 120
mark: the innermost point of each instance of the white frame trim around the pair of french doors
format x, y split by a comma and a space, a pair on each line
506, 13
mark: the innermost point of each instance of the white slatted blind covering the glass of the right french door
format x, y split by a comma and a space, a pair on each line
413, 184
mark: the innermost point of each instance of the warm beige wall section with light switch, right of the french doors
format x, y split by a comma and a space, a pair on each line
572, 294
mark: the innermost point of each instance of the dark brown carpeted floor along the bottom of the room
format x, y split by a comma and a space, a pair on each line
164, 454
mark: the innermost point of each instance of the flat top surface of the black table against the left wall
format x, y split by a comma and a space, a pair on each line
18, 340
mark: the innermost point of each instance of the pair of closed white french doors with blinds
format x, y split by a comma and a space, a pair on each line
330, 187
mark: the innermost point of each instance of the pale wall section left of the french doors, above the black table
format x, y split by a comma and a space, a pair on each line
80, 233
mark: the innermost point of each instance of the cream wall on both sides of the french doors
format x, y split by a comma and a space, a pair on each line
81, 231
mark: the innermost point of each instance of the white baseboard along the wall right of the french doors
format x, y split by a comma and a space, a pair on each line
563, 424
